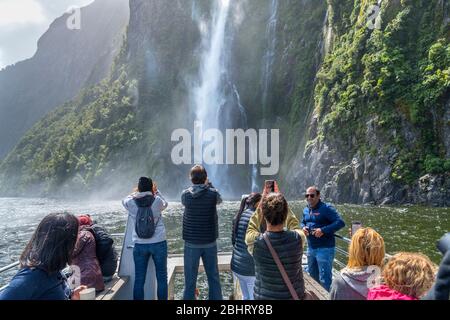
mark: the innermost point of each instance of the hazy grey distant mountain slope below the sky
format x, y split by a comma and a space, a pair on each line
65, 62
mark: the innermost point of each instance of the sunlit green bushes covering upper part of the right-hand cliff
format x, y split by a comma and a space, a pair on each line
398, 75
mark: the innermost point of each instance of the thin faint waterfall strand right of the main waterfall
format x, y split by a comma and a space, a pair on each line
269, 57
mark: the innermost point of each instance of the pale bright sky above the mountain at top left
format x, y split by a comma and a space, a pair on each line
23, 22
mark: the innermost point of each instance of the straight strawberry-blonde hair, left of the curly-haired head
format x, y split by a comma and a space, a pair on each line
366, 249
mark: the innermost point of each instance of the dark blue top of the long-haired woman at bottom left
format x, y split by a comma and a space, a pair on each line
36, 284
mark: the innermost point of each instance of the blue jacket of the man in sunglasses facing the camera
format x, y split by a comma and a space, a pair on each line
325, 217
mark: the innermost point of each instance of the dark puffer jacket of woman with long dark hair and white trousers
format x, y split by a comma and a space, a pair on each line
241, 261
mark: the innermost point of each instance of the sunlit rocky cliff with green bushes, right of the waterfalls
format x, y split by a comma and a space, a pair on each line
379, 127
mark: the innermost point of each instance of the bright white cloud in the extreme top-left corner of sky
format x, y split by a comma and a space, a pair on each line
21, 12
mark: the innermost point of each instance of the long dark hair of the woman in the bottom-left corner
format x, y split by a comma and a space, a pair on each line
52, 244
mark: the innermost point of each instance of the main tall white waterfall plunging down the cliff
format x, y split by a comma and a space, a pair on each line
216, 102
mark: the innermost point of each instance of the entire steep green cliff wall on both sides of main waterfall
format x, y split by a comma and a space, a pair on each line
363, 112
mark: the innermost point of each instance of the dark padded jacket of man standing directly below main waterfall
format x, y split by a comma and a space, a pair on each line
200, 221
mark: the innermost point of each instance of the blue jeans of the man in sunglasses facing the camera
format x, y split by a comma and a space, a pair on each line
320, 265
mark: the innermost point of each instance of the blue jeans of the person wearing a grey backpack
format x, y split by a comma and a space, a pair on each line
142, 254
